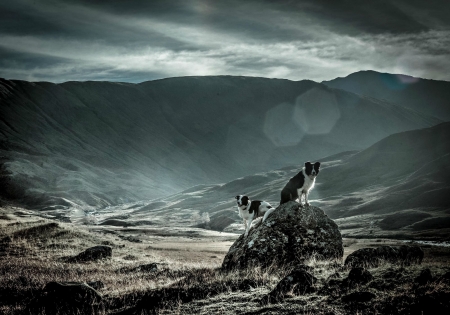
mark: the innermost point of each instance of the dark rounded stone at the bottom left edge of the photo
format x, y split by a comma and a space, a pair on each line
67, 298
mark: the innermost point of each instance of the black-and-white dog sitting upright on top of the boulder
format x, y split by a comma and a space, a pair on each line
301, 184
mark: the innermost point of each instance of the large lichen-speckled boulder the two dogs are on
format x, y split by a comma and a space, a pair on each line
289, 236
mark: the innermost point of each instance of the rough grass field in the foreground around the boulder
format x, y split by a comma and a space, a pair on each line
188, 279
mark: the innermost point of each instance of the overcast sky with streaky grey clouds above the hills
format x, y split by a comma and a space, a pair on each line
135, 41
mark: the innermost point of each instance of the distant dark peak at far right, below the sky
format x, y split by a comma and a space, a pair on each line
426, 96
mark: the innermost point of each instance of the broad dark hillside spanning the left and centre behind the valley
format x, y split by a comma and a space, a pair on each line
103, 143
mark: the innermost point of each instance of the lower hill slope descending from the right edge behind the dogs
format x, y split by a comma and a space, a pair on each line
401, 181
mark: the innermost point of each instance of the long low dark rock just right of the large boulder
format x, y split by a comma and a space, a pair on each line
373, 257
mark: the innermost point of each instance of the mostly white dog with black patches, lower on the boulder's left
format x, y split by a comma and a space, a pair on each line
250, 210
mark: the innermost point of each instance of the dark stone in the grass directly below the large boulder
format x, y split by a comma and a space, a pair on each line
298, 281
